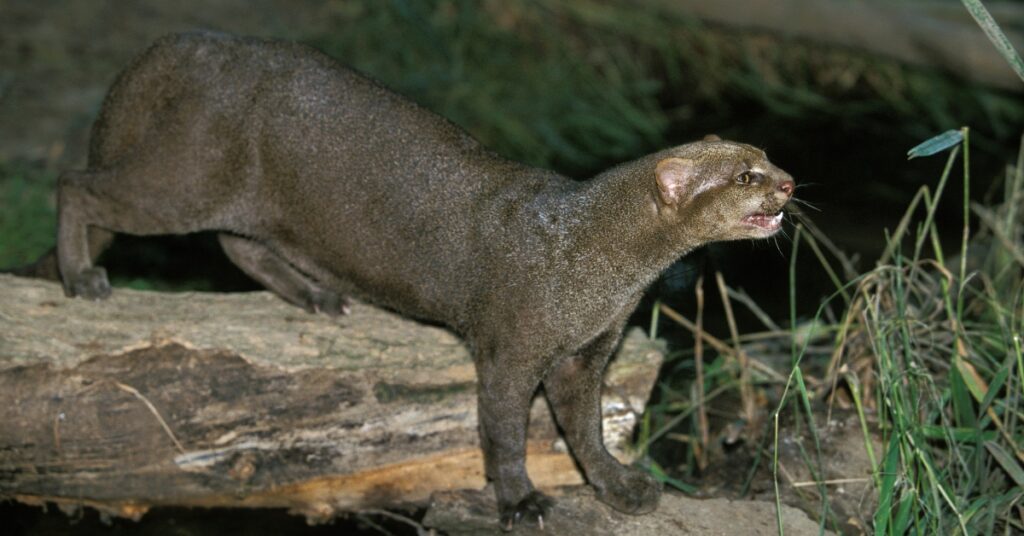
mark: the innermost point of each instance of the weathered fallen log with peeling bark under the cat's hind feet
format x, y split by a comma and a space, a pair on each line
239, 400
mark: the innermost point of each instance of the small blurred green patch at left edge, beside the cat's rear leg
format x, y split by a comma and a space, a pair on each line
28, 216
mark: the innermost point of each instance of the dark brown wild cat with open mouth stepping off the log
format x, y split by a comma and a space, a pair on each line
324, 185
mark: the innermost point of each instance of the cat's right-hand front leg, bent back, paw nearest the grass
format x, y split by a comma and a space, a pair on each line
574, 388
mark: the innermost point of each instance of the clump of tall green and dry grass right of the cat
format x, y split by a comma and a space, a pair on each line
948, 369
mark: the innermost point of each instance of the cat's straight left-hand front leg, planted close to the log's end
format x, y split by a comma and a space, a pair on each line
507, 385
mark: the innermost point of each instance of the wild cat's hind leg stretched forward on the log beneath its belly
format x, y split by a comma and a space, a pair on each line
272, 271
